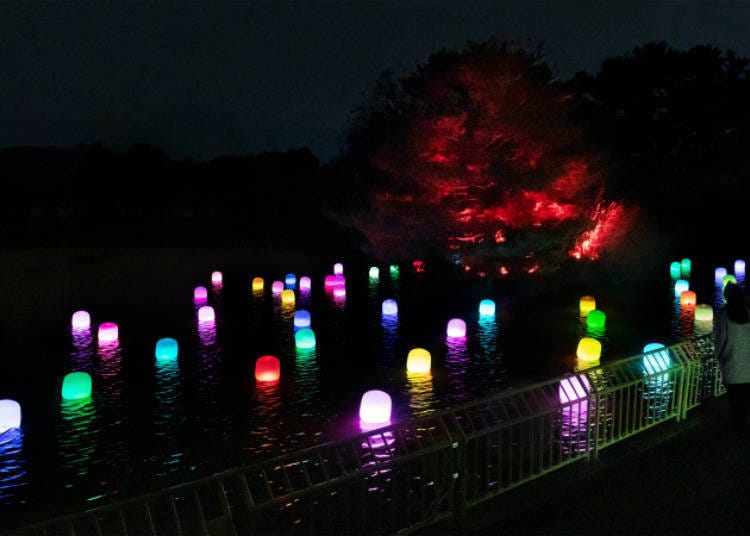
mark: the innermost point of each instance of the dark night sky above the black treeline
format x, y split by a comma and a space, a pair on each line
204, 79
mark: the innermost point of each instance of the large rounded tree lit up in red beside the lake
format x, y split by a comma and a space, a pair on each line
476, 156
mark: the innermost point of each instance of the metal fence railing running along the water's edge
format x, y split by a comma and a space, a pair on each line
412, 474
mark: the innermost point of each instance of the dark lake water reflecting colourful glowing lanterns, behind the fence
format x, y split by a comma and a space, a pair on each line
153, 423
